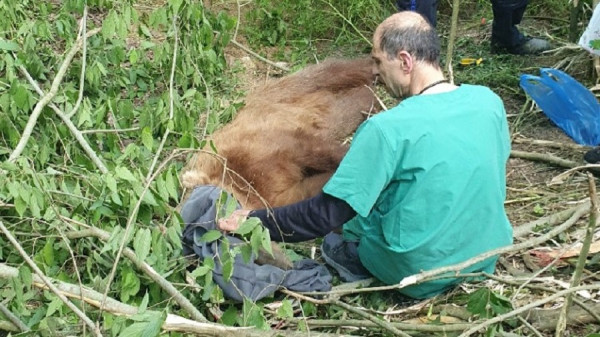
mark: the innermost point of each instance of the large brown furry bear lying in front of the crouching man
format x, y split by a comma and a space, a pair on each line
288, 139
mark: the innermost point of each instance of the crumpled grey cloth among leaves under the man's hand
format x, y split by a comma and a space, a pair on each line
249, 280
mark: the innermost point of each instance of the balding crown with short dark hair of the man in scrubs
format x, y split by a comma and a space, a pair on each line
411, 32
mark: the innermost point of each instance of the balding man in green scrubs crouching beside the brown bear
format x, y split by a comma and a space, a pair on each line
422, 185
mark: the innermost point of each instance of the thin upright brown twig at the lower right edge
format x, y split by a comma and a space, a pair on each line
561, 325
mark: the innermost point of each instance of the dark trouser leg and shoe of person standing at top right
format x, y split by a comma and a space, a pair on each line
505, 34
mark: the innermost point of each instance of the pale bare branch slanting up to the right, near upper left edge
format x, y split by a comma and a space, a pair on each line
47, 98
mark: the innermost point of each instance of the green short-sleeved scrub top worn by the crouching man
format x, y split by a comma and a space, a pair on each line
428, 182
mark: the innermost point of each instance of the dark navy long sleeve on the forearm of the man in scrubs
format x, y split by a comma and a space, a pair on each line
305, 220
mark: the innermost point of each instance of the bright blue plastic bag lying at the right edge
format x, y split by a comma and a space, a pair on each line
569, 104
